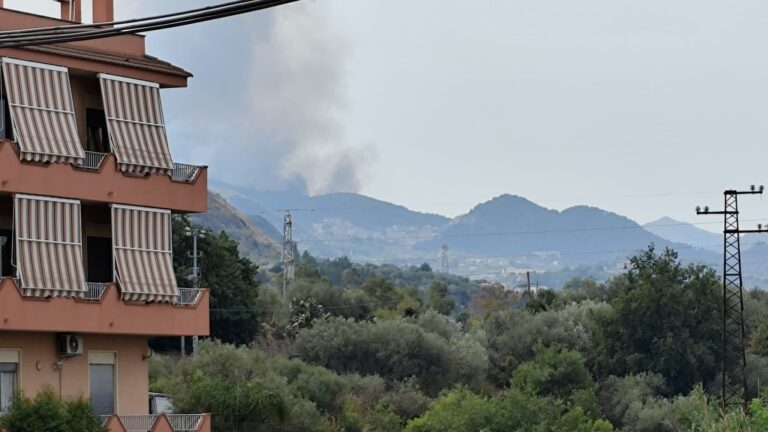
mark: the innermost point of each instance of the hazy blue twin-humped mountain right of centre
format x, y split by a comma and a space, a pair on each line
512, 226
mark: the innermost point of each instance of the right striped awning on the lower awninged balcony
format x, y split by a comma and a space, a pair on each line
141, 238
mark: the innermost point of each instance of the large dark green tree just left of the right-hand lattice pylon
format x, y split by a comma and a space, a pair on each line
665, 319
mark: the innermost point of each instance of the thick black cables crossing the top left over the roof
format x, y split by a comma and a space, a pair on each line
79, 32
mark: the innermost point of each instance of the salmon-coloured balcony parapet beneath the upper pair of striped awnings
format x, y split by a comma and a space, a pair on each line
106, 185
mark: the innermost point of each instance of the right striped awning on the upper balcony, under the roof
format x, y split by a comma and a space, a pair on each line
136, 126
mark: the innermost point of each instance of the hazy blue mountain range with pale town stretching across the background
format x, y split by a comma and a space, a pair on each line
505, 234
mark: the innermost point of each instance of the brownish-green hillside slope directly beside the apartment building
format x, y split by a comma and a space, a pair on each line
255, 240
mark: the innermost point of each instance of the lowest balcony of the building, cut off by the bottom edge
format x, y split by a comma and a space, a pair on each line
158, 423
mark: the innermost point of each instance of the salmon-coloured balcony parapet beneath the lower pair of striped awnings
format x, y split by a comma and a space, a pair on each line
109, 316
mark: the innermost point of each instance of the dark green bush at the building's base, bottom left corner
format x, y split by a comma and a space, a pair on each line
46, 412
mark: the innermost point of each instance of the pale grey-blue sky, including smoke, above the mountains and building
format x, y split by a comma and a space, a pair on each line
643, 107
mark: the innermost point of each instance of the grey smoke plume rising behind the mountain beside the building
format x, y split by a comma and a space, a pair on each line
265, 109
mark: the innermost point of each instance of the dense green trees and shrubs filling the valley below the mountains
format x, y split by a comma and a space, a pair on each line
382, 348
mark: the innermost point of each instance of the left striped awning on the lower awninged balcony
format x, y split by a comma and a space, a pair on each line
49, 255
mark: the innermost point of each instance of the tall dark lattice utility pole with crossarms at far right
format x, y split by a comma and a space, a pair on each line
734, 378
